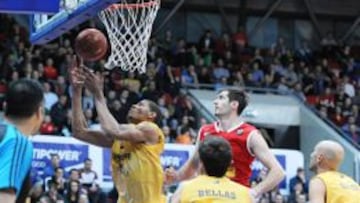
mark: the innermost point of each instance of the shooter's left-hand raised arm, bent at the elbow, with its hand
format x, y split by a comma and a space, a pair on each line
79, 126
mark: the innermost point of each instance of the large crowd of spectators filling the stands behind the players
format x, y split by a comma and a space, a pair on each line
326, 77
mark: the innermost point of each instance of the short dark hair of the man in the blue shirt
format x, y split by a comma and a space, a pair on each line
23, 98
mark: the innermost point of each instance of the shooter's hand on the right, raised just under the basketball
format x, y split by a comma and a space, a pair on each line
94, 82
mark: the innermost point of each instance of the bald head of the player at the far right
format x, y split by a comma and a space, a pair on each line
332, 151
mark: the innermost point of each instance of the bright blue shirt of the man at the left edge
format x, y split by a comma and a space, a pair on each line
16, 153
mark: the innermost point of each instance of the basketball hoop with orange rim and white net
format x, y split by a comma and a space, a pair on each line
129, 28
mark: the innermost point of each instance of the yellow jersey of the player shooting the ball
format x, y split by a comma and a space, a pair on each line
137, 171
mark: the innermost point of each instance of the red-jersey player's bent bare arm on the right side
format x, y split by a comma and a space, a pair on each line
261, 150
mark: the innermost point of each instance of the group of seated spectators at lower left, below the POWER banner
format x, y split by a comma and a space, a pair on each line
56, 185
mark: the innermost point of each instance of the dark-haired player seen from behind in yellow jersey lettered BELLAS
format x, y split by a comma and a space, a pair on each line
214, 187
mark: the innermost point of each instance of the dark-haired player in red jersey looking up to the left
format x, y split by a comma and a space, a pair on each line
246, 141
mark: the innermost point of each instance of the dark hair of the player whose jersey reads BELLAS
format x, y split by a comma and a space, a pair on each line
215, 154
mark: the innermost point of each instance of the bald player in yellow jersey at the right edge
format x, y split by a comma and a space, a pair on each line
329, 185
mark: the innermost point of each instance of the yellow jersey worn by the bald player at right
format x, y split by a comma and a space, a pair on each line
340, 188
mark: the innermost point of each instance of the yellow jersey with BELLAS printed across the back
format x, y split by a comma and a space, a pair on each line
206, 189
